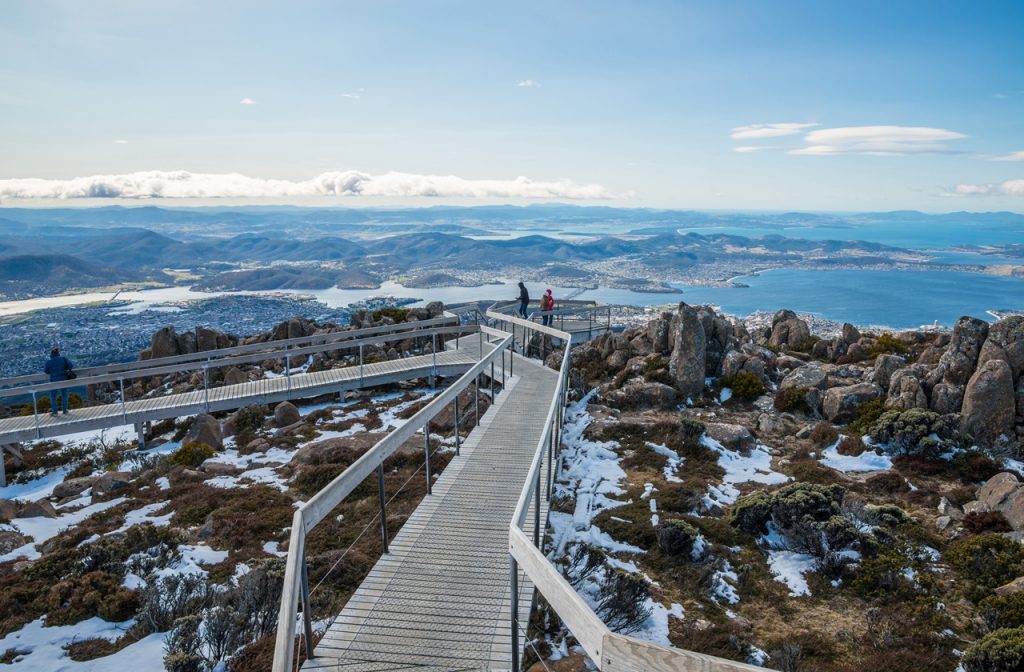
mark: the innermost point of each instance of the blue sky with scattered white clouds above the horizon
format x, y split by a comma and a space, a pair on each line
726, 105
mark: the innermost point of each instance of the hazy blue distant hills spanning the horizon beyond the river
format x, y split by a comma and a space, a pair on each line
75, 248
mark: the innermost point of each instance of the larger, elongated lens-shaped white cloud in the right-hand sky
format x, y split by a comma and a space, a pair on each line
878, 141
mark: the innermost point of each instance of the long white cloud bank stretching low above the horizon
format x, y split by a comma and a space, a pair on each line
182, 185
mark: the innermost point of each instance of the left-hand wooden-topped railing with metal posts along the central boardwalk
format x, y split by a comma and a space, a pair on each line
296, 587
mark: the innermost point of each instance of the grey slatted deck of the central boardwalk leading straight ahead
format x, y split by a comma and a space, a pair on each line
441, 600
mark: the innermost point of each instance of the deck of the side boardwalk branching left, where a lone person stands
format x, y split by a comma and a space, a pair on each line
267, 391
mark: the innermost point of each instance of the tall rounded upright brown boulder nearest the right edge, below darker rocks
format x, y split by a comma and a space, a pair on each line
990, 403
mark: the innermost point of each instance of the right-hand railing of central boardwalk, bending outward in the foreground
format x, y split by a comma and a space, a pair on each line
610, 651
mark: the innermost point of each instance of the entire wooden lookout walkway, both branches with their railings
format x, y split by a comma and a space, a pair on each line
455, 587
